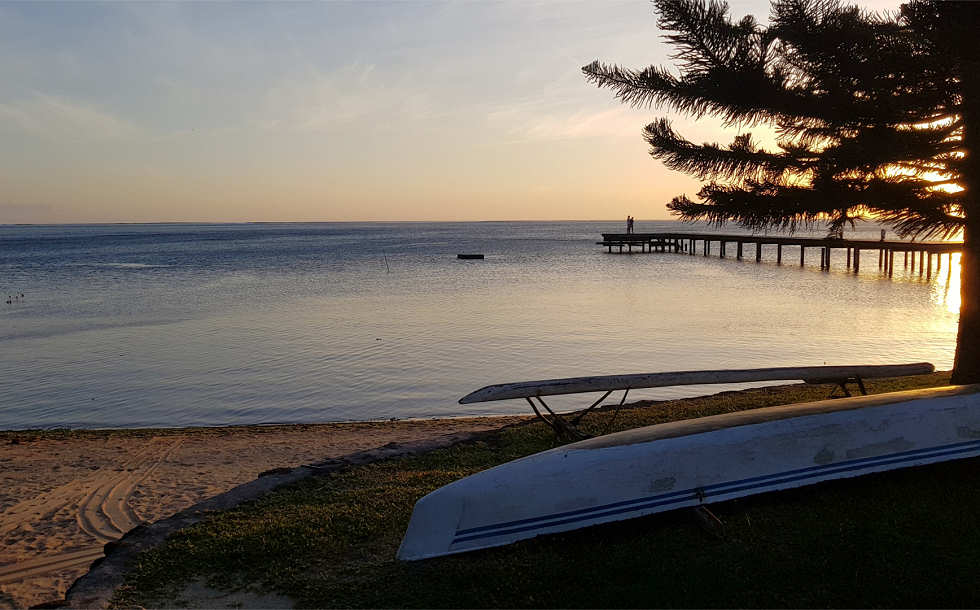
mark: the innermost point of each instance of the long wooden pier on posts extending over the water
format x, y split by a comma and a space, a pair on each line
687, 243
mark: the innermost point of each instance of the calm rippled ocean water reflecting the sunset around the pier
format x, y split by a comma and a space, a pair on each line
223, 324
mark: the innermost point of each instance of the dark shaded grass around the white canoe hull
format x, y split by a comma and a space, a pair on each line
905, 538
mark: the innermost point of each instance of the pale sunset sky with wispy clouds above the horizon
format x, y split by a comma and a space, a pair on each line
330, 111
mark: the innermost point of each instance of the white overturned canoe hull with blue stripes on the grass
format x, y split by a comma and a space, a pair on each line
711, 459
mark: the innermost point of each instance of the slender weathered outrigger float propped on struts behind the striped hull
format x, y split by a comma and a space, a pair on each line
575, 385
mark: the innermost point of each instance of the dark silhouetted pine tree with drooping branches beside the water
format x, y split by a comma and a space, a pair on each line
876, 115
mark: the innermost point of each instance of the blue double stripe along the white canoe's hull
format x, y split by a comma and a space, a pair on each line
716, 489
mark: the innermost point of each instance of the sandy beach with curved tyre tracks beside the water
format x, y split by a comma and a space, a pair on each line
62, 499
